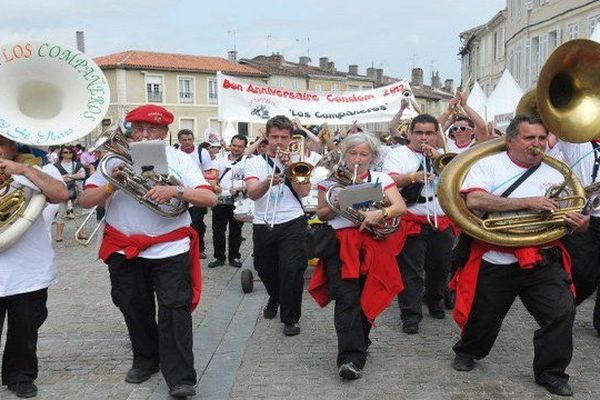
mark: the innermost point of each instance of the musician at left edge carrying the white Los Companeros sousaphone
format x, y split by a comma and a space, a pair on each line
27, 269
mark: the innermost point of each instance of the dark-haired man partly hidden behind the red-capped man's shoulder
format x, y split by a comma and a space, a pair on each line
203, 160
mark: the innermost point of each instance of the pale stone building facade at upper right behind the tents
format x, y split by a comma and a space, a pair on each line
521, 37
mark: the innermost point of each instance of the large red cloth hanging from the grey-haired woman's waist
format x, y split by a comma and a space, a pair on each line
360, 254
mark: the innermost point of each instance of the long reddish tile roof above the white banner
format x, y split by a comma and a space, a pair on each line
174, 62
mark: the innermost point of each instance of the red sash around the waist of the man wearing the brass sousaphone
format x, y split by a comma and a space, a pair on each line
465, 279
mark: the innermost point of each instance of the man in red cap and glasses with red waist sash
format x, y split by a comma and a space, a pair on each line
150, 255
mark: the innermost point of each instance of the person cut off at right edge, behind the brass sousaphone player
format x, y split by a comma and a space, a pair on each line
584, 247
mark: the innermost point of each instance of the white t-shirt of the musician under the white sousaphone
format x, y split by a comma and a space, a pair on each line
29, 264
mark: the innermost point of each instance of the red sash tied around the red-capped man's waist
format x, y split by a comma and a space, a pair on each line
133, 245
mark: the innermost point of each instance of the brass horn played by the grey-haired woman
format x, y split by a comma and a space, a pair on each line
336, 170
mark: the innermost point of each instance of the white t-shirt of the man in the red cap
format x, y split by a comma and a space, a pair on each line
130, 217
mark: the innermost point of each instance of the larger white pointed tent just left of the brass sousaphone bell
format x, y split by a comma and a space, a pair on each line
501, 104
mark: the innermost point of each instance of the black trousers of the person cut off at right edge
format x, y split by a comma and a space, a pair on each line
584, 249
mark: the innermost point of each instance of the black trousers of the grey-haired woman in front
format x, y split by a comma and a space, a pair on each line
351, 324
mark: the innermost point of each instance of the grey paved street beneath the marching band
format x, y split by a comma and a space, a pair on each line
84, 351
